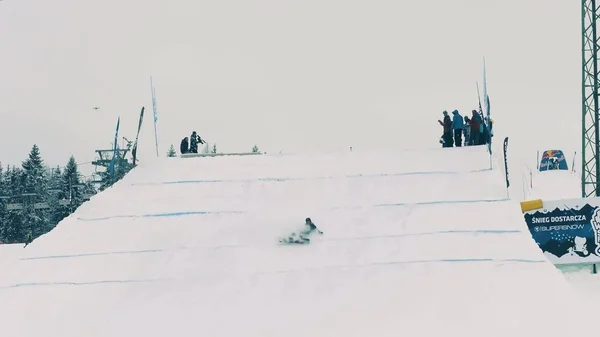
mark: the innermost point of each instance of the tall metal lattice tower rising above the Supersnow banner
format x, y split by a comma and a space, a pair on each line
590, 81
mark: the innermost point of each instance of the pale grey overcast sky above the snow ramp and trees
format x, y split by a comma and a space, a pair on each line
286, 75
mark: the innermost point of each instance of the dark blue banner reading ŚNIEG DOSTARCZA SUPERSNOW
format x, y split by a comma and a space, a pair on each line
567, 231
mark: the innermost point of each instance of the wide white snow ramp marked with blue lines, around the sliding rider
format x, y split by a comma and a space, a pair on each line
418, 242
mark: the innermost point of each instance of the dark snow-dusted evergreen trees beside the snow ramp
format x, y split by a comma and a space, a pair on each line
34, 197
